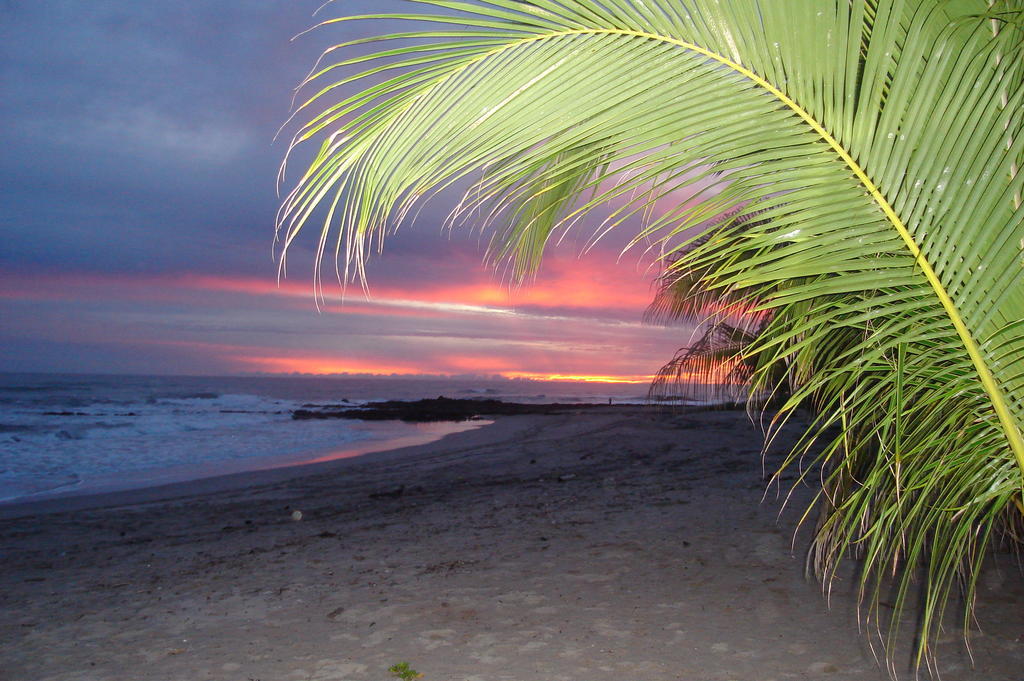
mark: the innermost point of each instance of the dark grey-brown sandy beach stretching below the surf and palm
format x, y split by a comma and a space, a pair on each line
615, 545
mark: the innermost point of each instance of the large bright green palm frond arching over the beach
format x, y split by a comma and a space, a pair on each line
880, 142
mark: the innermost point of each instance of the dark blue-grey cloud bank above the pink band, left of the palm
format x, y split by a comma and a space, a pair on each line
139, 137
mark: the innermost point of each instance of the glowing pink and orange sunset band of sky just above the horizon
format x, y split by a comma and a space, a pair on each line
576, 323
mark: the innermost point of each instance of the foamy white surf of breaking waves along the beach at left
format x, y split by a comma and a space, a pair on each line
59, 443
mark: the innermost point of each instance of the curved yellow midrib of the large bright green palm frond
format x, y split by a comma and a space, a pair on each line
993, 390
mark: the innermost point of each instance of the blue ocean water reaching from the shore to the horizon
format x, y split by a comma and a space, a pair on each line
74, 435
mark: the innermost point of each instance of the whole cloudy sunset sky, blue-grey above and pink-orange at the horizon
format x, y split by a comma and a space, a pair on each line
139, 169
